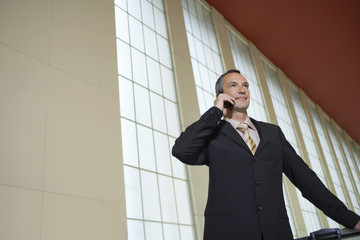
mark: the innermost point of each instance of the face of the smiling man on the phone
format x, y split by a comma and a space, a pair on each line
236, 85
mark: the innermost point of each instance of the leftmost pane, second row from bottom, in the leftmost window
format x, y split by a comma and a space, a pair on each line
132, 193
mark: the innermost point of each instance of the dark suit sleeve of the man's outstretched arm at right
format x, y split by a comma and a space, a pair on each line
313, 189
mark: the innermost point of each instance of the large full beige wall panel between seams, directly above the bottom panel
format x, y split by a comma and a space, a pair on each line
72, 160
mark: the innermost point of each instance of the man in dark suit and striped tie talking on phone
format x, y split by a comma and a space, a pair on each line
246, 162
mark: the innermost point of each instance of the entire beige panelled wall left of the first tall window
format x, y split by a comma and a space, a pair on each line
61, 173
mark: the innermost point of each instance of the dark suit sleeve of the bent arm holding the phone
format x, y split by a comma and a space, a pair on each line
190, 146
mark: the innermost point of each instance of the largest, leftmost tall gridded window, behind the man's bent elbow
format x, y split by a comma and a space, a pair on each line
156, 186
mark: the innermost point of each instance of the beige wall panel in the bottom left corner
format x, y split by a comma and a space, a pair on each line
20, 213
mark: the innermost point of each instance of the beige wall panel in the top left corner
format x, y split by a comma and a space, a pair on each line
25, 26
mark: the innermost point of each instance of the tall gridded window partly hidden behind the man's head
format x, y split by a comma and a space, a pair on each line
204, 51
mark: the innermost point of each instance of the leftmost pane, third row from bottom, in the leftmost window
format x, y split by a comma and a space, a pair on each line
130, 153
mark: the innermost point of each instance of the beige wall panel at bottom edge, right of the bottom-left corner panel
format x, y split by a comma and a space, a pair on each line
71, 218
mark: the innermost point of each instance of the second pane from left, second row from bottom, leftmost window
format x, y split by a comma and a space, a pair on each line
150, 193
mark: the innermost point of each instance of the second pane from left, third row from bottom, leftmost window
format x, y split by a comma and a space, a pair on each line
146, 148
